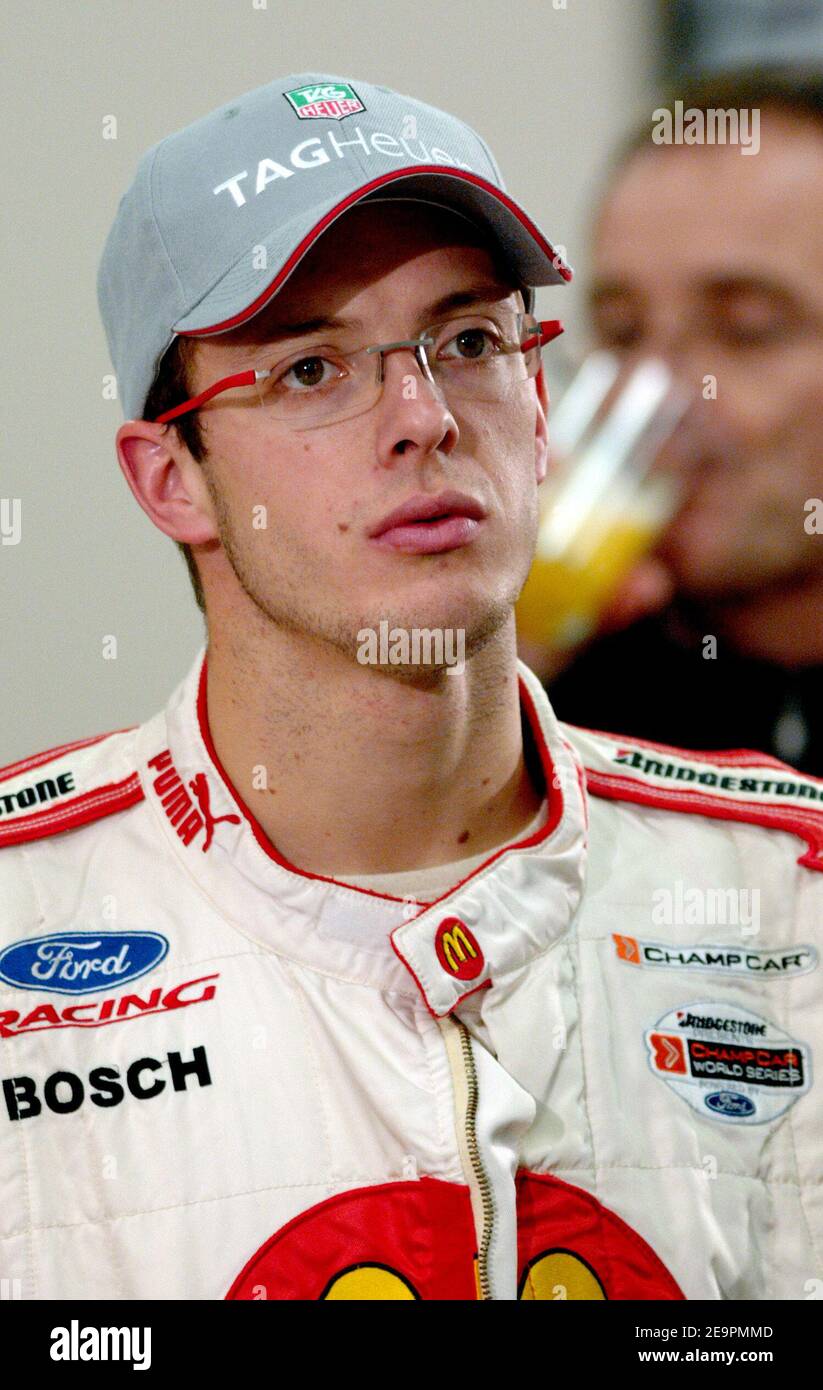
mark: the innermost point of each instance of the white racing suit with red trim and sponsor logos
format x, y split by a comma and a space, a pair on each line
586, 1072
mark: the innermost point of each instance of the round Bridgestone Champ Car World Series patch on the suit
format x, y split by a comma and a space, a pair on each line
729, 1064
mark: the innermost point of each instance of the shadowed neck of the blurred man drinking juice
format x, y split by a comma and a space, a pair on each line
782, 625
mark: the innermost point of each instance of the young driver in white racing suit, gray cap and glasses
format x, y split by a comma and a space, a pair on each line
354, 975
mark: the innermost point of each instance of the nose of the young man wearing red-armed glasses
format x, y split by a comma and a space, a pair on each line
415, 415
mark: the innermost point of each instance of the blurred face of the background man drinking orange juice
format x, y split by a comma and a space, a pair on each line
715, 261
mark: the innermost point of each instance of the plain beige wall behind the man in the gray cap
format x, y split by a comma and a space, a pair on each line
550, 87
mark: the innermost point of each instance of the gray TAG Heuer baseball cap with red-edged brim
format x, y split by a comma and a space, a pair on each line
220, 213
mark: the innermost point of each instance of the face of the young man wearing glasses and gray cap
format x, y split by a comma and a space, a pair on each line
316, 568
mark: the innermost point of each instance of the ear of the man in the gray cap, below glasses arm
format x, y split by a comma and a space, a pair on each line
166, 482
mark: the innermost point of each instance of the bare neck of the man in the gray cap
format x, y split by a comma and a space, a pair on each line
351, 771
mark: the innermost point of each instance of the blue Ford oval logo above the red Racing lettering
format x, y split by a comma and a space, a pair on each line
81, 963
